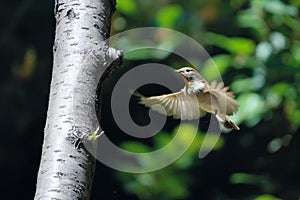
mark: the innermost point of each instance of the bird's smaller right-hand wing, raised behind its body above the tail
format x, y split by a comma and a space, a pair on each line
223, 97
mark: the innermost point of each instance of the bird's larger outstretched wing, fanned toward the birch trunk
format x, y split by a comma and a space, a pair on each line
179, 105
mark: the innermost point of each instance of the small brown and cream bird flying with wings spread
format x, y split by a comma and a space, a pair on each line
195, 100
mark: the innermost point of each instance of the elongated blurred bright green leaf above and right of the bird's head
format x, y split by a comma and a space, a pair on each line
234, 45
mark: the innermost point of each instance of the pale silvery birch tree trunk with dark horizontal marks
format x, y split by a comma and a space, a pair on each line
80, 57
